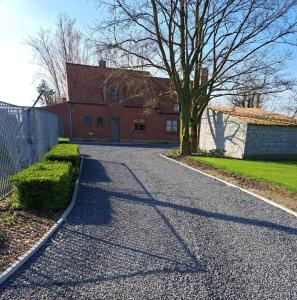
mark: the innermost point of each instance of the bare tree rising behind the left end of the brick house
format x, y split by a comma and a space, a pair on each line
53, 49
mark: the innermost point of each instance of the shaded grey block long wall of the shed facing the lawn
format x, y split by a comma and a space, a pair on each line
278, 141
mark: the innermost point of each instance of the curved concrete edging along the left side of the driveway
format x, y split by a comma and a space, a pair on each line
24, 258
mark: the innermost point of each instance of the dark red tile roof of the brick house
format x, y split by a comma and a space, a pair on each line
84, 82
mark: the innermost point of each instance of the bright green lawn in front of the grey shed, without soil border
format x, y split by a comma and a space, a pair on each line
282, 173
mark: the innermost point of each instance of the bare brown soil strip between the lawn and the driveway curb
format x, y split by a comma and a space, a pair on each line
272, 192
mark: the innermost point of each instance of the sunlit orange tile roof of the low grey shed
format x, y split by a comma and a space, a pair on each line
256, 116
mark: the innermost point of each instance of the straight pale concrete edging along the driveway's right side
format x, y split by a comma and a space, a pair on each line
235, 186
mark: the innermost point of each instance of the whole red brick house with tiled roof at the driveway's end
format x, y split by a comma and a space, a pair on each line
116, 105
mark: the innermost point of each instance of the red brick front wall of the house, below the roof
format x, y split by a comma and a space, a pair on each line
155, 122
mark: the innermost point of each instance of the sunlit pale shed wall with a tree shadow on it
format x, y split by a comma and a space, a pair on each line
223, 132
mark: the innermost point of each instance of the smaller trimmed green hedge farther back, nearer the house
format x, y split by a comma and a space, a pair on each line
64, 152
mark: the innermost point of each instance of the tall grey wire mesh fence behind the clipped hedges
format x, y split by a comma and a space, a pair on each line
25, 135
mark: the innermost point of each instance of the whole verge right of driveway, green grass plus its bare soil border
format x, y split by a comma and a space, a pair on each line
270, 187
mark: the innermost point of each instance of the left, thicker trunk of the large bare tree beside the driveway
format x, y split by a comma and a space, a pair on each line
184, 125
